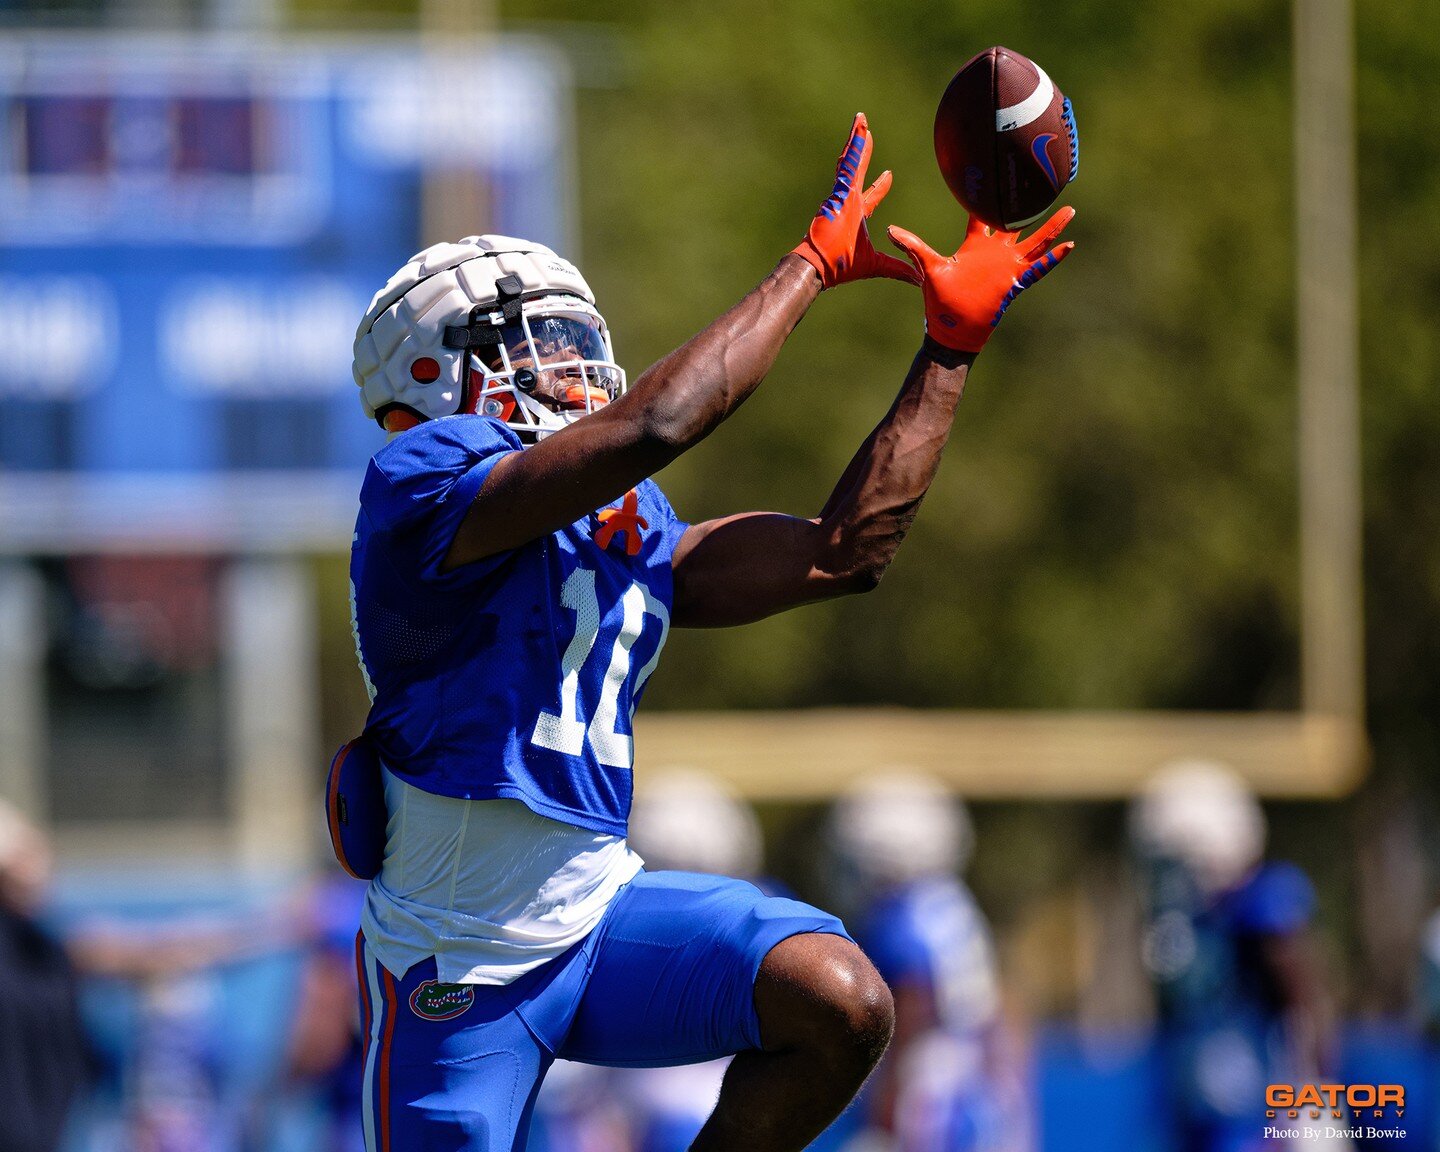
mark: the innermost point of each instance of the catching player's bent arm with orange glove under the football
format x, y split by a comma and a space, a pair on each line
745, 568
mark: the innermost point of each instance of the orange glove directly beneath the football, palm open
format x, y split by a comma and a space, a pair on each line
967, 294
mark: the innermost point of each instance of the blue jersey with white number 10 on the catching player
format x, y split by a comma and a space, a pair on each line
516, 676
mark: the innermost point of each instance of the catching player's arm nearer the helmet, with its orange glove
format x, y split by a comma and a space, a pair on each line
678, 402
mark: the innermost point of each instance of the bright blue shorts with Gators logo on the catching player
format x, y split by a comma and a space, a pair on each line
666, 978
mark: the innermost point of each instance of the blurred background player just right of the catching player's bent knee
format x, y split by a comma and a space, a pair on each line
954, 1078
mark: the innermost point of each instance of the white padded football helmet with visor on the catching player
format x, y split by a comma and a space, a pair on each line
489, 325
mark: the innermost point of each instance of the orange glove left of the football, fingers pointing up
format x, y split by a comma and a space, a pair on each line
839, 243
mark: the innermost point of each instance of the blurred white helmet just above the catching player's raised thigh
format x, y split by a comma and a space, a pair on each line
692, 823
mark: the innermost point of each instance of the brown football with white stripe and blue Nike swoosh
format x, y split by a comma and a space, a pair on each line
1006, 139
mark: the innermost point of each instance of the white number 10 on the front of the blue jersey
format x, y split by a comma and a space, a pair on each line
570, 731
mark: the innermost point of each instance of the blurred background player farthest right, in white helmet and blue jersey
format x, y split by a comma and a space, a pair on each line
1228, 945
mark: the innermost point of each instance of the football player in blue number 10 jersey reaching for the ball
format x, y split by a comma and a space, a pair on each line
515, 575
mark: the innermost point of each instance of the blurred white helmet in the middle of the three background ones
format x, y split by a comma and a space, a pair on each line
898, 826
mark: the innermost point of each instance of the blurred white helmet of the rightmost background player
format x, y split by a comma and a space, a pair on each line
1203, 816
